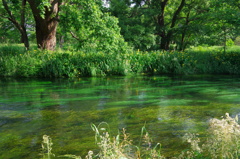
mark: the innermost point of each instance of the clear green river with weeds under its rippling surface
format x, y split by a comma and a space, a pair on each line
65, 108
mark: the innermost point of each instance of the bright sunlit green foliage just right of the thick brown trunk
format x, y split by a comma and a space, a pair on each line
92, 29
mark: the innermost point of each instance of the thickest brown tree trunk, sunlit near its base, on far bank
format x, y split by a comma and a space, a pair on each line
46, 23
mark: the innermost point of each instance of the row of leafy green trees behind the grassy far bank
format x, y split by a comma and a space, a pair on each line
103, 25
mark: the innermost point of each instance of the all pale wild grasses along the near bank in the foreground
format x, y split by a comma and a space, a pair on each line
223, 142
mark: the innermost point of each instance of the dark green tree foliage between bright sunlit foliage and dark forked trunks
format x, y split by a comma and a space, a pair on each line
135, 23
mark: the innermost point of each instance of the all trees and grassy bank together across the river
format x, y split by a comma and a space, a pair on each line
98, 38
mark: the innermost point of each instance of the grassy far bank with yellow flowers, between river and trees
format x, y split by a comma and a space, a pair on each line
15, 61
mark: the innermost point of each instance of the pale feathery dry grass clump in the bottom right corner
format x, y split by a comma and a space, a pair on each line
223, 140
